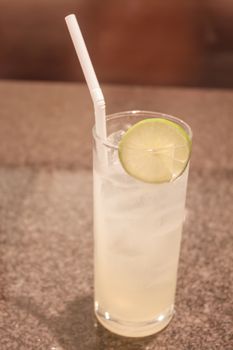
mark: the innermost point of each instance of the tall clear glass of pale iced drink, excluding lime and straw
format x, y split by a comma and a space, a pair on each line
137, 234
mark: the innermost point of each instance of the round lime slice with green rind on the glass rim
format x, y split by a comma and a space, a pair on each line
155, 150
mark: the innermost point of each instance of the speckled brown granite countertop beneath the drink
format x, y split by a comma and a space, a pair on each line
46, 246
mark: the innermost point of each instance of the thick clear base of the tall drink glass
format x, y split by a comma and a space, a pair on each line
135, 329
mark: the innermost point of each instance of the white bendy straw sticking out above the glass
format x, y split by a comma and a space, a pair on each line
89, 73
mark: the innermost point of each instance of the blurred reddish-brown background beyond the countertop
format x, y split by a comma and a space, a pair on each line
156, 42
